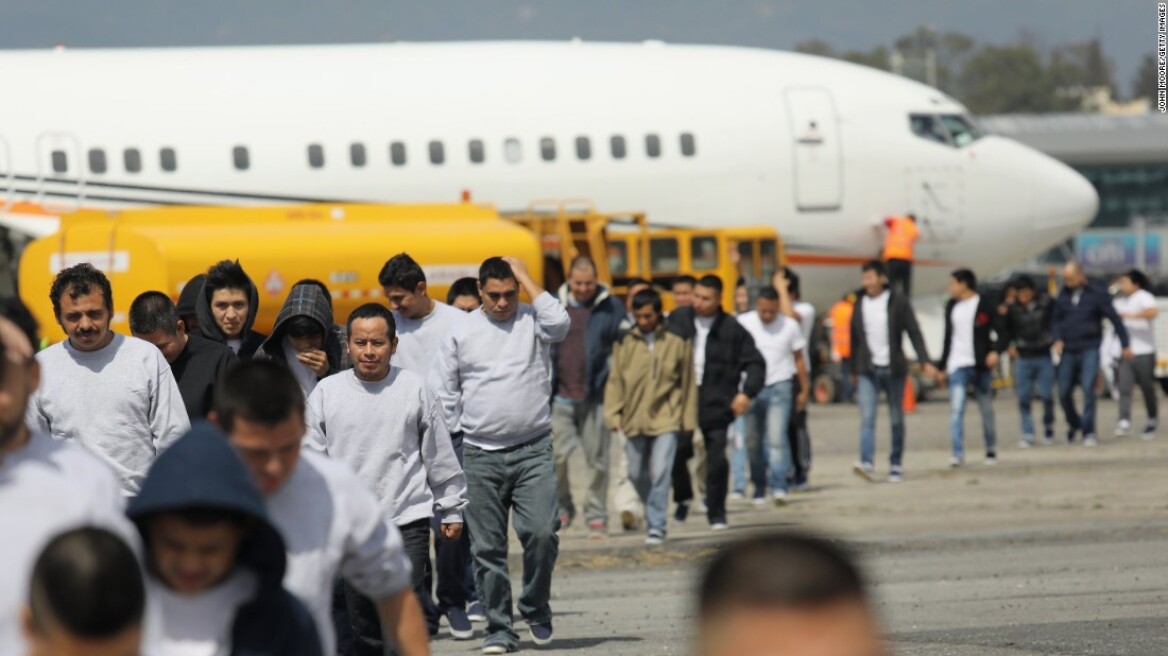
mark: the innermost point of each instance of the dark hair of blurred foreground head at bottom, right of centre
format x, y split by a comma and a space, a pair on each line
780, 570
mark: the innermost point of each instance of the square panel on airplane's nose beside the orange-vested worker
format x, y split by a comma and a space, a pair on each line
936, 196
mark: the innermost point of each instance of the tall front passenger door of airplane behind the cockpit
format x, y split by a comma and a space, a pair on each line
817, 149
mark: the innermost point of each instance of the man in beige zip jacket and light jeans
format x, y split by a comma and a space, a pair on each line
651, 396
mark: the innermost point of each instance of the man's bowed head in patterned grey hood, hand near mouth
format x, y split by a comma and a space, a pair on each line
304, 338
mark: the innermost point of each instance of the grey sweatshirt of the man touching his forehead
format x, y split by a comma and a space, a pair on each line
495, 376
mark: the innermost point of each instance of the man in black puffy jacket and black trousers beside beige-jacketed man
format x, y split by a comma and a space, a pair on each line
724, 353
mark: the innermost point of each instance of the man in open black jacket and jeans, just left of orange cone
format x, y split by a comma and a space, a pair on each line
879, 325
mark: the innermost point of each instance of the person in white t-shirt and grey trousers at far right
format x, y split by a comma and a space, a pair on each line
1138, 309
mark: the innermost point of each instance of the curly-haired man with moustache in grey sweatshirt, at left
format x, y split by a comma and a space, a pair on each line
113, 395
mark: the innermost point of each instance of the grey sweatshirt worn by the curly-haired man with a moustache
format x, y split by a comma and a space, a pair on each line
120, 402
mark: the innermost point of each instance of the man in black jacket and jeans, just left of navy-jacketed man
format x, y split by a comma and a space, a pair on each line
1026, 331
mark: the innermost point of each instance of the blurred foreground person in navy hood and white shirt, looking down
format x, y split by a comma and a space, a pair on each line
217, 563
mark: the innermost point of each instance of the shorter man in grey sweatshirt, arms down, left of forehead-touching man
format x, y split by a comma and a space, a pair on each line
384, 422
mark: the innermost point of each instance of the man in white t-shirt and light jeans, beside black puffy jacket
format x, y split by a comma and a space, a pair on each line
781, 341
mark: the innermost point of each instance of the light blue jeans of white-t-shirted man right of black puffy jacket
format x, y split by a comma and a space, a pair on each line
769, 421
